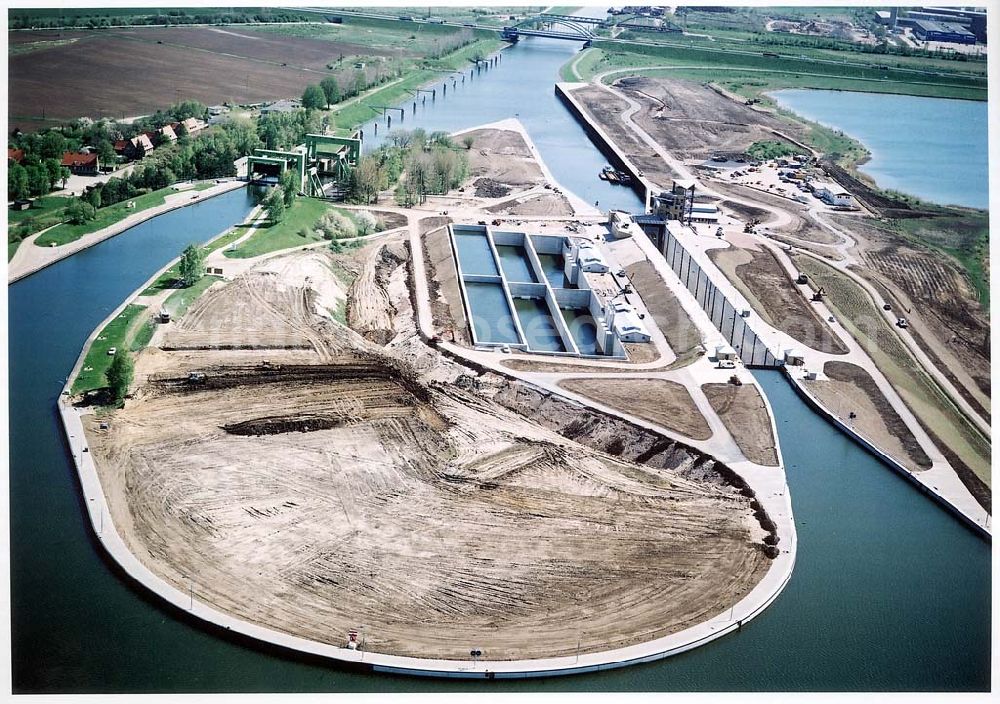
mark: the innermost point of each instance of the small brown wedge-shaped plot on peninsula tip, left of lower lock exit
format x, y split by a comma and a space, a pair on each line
745, 416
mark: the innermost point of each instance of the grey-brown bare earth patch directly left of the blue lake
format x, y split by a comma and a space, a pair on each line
692, 121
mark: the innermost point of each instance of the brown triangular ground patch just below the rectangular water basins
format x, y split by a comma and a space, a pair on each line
665, 403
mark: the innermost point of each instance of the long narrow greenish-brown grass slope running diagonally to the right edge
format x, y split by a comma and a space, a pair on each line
922, 395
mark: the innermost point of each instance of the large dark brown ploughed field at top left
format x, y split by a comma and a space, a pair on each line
86, 78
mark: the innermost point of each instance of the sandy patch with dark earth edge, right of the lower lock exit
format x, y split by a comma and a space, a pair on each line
850, 389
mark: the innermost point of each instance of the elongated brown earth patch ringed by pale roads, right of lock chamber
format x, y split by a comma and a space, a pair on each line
761, 278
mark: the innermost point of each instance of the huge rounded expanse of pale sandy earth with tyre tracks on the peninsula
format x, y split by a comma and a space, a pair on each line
332, 487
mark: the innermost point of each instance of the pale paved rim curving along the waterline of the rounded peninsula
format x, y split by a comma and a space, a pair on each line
769, 484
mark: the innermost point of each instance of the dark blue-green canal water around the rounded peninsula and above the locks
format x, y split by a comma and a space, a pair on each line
889, 592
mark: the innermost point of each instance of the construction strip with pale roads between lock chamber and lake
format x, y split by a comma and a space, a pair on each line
823, 269
